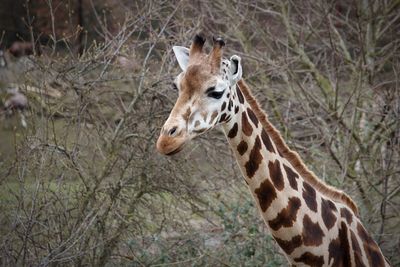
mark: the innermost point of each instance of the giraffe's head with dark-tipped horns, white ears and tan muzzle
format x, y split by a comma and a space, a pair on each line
204, 93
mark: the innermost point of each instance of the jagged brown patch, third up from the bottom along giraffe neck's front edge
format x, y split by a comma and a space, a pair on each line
287, 216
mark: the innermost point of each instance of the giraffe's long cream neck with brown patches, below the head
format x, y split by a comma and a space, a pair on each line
313, 227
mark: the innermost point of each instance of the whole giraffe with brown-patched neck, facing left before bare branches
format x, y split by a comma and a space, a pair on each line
314, 224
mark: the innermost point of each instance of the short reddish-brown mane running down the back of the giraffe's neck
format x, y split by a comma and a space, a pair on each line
292, 156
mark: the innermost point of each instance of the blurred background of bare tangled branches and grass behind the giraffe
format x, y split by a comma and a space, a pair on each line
85, 87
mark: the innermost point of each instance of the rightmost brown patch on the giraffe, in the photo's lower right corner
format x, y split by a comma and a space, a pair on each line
371, 249
